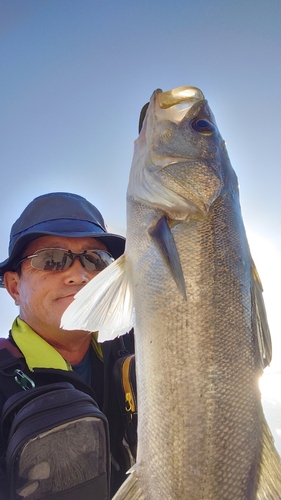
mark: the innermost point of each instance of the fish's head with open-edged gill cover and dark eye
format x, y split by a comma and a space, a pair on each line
180, 163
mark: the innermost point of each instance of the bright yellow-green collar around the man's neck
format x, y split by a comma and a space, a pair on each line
37, 352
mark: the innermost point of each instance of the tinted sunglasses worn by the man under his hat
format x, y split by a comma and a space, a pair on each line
59, 259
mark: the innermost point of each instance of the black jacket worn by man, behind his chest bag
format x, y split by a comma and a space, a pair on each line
102, 390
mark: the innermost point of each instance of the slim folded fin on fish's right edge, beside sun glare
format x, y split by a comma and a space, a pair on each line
263, 332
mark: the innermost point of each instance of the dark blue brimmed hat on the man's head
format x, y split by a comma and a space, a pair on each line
59, 214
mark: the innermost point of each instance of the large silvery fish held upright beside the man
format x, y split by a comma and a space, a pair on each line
201, 332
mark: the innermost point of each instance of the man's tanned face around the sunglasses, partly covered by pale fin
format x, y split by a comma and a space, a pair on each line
43, 296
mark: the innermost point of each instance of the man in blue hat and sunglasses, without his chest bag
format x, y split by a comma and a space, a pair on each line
58, 244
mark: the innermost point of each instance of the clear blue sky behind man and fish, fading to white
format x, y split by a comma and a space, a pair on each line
74, 75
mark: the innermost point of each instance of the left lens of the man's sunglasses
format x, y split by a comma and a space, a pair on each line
51, 259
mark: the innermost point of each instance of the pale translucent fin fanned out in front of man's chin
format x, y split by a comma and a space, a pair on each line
105, 304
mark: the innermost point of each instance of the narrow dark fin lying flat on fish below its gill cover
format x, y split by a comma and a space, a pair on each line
163, 237
